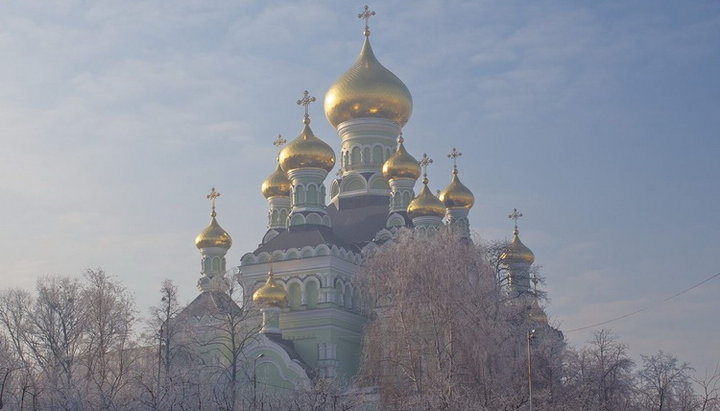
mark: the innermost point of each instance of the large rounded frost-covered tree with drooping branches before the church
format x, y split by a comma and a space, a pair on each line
441, 334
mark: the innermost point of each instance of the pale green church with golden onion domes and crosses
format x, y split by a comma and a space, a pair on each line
300, 275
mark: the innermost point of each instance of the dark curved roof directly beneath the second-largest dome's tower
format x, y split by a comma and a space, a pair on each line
304, 235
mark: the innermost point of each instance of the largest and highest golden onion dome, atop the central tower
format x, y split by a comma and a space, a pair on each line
368, 89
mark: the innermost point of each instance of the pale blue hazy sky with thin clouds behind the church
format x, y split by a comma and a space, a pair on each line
598, 121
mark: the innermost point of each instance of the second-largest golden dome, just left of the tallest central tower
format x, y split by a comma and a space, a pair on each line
307, 151
